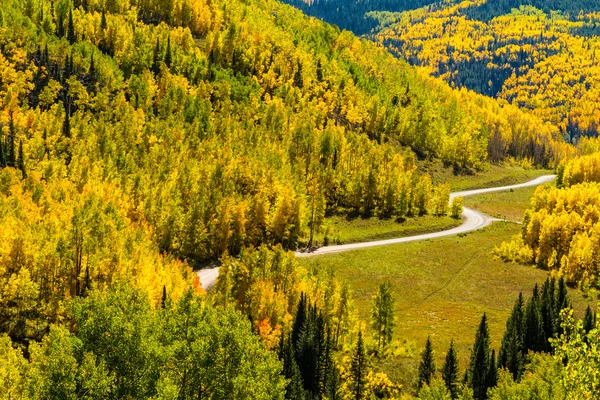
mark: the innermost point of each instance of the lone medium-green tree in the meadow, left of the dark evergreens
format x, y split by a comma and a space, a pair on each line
382, 315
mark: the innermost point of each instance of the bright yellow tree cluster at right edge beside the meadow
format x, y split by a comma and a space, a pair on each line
561, 231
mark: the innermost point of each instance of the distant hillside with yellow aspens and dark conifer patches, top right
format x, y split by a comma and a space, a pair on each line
537, 55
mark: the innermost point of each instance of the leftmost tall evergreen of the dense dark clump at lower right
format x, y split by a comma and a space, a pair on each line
511, 354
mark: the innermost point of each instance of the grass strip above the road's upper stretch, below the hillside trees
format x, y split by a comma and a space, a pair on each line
496, 175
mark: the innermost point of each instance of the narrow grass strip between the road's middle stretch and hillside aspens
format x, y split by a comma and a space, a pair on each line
342, 229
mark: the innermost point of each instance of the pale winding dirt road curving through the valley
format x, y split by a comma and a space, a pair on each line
472, 221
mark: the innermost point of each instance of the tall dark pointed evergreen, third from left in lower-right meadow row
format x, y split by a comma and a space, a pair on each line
480, 358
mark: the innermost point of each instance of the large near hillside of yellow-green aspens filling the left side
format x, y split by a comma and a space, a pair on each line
142, 139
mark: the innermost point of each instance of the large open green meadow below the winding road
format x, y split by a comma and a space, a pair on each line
442, 288
